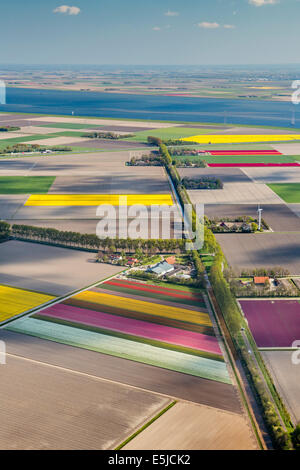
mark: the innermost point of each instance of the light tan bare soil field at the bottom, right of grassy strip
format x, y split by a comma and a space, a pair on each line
187, 426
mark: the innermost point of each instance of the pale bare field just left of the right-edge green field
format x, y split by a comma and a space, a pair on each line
235, 193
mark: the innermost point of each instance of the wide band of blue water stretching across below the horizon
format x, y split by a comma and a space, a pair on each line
151, 107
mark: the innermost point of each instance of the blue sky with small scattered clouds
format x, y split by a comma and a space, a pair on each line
161, 32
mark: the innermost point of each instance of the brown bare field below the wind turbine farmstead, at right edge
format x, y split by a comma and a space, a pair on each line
252, 251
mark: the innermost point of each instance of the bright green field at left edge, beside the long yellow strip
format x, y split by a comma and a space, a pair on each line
25, 184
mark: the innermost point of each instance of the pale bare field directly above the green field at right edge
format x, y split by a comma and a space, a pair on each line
273, 175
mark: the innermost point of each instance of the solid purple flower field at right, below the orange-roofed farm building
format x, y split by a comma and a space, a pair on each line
273, 323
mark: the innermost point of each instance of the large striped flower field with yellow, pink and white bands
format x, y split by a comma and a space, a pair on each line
160, 333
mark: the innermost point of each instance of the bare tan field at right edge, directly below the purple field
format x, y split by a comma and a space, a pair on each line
286, 376
